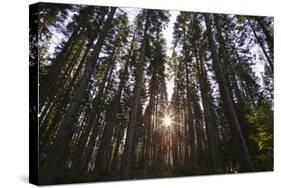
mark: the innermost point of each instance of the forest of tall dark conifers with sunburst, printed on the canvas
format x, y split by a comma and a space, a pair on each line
130, 93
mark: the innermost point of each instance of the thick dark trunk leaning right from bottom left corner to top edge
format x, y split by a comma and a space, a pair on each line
67, 127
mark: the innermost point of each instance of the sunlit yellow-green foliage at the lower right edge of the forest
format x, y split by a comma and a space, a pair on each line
261, 117
